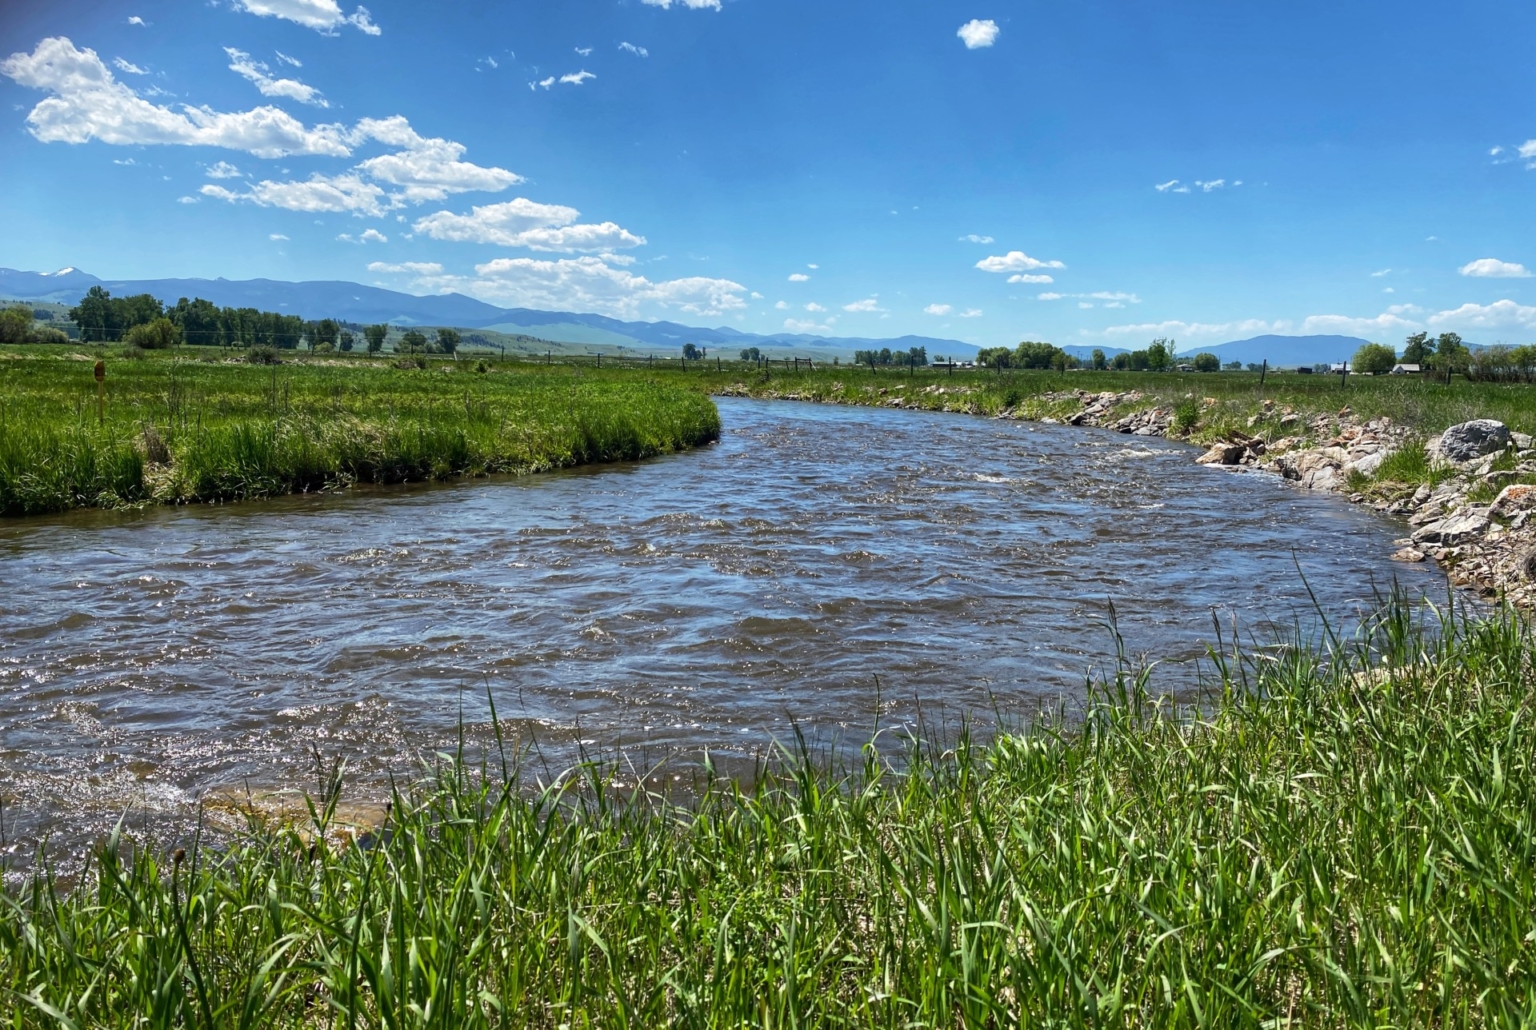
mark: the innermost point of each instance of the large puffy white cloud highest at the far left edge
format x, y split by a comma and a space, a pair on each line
88, 104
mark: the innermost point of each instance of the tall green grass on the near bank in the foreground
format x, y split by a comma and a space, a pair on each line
1345, 839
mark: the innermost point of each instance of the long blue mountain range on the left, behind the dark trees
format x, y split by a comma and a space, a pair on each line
356, 303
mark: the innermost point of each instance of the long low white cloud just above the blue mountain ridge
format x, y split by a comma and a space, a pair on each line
586, 285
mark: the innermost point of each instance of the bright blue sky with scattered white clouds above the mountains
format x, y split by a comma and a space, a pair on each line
1096, 173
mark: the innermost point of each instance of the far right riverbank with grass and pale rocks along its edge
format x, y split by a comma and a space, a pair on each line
1375, 443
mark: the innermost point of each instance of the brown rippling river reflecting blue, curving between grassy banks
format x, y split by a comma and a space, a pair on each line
712, 599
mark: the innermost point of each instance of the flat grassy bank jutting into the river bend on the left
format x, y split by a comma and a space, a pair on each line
180, 429
